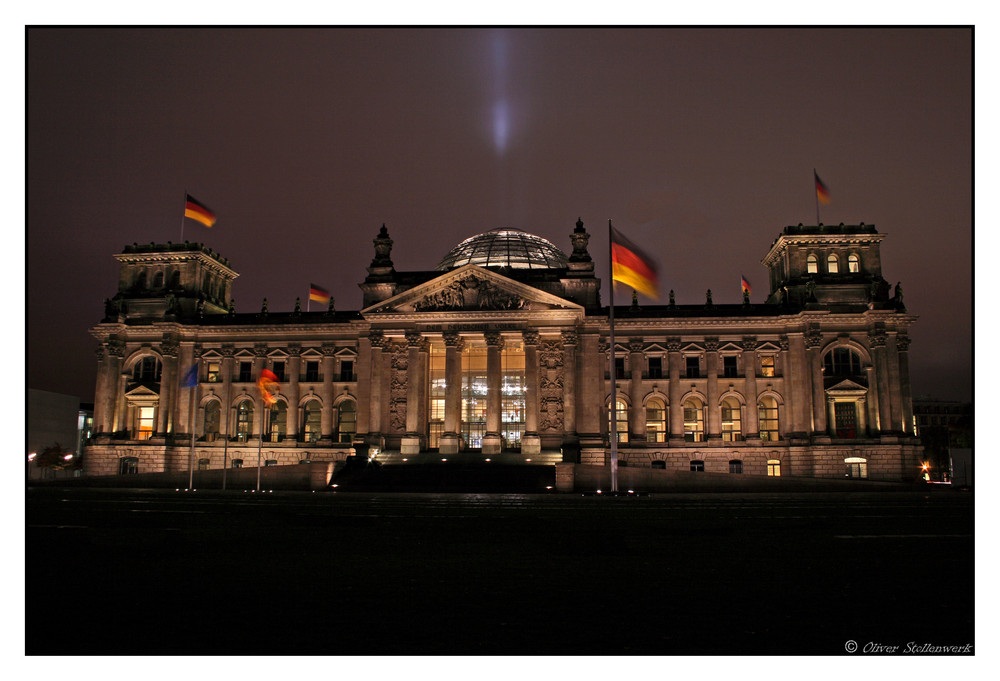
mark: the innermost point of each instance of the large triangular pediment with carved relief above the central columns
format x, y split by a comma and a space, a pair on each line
470, 289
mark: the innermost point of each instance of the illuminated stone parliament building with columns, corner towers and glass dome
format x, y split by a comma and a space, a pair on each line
503, 347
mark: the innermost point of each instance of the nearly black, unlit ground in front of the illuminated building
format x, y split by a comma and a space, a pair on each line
139, 572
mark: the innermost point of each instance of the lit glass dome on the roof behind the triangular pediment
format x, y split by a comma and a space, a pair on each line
505, 247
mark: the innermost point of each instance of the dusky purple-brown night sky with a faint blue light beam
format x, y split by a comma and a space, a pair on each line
699, 144
